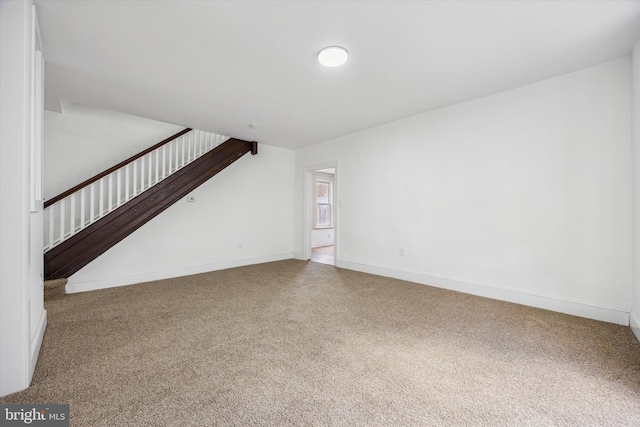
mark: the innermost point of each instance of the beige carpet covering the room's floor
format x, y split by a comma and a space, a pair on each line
295, 343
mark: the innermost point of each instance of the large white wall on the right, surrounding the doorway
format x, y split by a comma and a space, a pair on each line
522, 196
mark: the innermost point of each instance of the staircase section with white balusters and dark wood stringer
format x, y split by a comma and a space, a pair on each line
85, 221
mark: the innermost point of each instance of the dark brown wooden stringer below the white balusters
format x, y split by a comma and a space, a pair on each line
71, 255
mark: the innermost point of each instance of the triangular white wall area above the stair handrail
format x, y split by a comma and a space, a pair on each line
84, 141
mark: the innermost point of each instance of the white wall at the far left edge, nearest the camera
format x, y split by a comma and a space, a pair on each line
22, 315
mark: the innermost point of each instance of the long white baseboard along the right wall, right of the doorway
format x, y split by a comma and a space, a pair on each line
618, 315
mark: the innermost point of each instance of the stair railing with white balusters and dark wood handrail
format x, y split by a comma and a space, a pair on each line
75, 209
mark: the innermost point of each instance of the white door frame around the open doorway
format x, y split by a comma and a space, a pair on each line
307, 208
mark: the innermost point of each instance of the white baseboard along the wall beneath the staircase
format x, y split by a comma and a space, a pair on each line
112, 282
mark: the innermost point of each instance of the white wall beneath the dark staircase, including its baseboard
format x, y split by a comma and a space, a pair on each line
241, 216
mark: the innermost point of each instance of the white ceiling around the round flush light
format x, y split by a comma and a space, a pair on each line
221, 66
